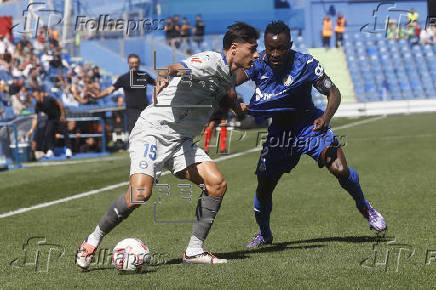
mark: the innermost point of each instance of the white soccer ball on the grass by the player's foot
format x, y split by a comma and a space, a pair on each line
130, 255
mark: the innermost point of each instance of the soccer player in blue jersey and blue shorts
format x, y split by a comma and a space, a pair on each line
284, 80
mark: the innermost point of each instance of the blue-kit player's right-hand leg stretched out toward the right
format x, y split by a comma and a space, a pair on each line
334, 159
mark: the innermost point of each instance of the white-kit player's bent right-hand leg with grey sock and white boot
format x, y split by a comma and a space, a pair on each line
209, 203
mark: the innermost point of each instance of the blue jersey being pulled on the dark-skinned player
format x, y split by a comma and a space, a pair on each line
289, 91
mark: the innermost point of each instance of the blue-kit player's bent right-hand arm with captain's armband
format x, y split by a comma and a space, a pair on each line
325, 86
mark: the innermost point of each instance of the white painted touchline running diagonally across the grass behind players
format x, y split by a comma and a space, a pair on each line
110, 187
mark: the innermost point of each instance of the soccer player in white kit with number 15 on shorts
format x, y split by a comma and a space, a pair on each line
186, 96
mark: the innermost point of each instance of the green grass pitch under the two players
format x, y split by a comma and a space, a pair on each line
320, 239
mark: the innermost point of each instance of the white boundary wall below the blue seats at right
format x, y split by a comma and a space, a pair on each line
386, 108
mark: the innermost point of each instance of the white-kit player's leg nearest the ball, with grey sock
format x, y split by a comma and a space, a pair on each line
138, 192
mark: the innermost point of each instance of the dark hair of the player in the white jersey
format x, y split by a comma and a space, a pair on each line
239, 32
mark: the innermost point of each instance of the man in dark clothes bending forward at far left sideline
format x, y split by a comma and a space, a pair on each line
56, 121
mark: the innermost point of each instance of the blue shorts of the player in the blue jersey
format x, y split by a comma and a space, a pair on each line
283, 148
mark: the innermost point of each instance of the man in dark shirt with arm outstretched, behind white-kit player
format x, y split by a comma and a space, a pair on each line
135, 89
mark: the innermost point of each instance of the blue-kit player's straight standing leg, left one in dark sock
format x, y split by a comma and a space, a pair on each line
262, 210
